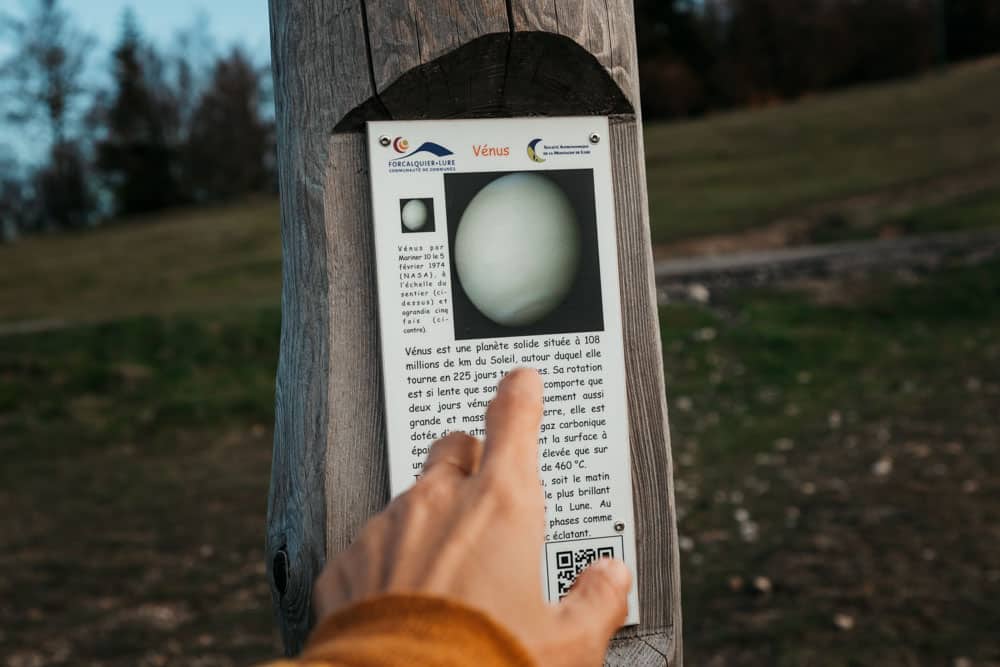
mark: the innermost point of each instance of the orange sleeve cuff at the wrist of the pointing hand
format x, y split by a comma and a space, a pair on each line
407, 630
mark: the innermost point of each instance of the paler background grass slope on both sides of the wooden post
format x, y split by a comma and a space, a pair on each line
910, 157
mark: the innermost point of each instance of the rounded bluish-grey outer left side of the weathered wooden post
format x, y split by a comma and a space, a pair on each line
309, 102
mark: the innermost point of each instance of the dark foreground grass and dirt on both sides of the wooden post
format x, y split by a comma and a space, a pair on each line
136, 457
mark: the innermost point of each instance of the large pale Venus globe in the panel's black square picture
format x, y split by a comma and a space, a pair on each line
517, 249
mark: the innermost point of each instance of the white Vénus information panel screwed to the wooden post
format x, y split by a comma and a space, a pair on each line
495, 248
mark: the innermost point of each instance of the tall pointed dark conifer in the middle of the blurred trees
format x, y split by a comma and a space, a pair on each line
139, 128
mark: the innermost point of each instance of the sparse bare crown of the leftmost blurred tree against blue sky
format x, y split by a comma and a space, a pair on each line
42, 78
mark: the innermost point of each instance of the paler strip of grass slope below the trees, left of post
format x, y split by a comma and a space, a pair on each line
181, 261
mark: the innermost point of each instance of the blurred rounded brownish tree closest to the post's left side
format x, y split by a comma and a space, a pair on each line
230, 144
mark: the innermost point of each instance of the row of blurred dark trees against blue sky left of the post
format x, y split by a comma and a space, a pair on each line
173, 128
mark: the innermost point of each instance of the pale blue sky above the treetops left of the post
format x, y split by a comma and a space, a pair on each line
228, 22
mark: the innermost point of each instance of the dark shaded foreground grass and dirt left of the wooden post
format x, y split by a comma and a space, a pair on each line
136, 457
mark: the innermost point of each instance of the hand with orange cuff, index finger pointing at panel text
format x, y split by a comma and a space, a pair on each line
467, 537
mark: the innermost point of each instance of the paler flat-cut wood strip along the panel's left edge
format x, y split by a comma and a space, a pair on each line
357, 472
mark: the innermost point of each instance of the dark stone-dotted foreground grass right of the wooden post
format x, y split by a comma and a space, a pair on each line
782, 408
